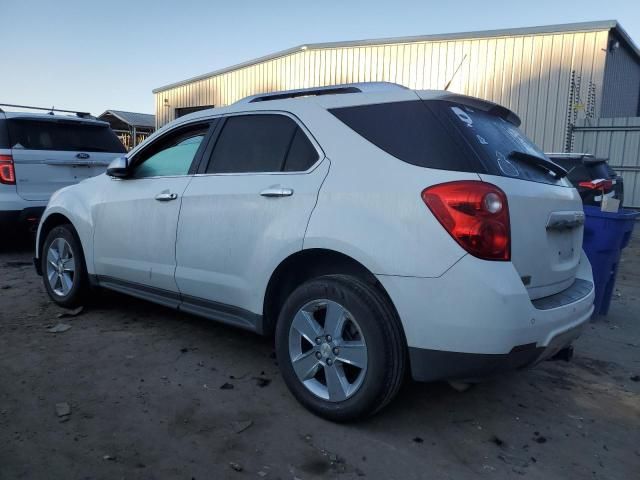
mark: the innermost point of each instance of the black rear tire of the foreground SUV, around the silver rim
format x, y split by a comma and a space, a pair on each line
382, 332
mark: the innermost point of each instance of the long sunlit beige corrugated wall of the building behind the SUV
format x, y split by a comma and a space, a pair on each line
529, 74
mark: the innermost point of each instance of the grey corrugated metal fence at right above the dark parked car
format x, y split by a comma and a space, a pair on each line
617, 139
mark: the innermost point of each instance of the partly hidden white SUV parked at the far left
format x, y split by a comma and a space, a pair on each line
41, 153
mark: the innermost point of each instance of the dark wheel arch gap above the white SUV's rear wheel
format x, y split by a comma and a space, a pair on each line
303, 265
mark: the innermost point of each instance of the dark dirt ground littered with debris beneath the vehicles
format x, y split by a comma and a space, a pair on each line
156, 394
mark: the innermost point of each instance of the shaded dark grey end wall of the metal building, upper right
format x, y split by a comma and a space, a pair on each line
621, 96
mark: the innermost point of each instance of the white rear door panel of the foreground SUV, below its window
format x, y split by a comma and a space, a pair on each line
231, 239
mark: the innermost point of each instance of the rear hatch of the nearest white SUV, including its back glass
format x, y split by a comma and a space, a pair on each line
546, 214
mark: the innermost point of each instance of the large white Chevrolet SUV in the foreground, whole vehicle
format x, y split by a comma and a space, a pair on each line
372, 228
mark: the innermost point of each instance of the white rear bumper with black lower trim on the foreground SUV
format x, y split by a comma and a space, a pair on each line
477, 320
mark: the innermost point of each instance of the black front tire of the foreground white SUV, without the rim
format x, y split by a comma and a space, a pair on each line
76, 294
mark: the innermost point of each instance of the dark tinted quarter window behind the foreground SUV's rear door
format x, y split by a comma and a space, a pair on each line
411, 132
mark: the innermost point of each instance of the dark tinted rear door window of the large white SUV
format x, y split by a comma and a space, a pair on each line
261, 143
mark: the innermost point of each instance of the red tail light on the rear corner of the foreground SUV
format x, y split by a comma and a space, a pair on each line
475, 214
